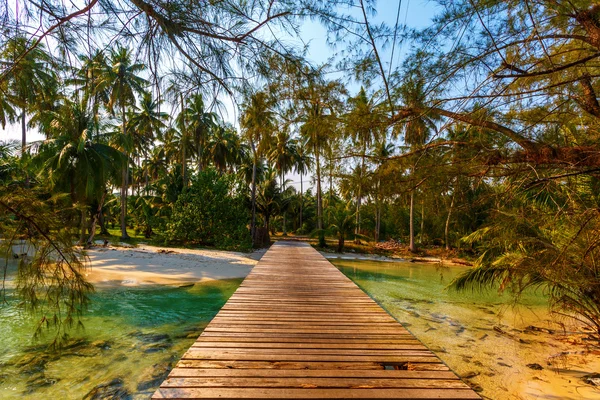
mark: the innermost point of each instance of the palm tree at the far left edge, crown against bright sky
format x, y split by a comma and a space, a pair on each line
31, 84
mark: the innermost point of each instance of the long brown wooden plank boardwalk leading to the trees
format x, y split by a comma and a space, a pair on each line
298, 328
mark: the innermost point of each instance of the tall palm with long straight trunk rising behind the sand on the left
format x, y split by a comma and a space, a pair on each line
120, 79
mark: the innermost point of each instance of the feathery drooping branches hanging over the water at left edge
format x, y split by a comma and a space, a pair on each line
50, 278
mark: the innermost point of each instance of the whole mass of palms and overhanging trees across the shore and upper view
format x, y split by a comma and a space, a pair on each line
485, 140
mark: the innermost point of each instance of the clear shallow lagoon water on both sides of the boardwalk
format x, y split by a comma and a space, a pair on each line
134, 335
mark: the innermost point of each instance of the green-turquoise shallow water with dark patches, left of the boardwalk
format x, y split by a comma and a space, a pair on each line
130, 335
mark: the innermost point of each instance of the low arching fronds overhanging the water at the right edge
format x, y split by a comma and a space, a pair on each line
542, 241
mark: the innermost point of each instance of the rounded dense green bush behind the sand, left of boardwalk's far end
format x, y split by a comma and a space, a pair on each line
211, 212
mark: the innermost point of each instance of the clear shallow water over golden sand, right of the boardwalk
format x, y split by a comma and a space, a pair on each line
460, 329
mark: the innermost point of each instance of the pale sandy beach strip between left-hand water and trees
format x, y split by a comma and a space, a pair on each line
145, 265
